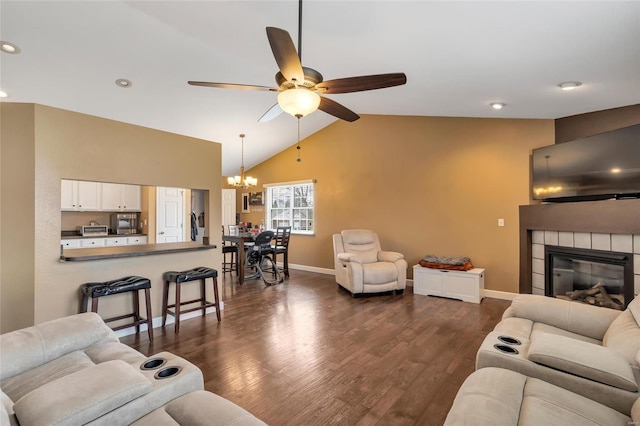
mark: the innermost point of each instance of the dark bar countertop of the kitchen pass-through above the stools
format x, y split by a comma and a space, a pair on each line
98, 253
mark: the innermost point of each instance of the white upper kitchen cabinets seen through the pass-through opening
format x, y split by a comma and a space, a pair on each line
97, 196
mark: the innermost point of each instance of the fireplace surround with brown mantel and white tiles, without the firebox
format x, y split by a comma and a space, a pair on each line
611, 225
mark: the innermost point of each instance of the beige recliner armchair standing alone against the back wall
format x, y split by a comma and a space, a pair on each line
362, 267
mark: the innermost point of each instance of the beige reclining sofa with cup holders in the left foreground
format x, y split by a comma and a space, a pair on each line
74, 370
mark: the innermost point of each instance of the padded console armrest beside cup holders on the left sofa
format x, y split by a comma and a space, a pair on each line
82, 396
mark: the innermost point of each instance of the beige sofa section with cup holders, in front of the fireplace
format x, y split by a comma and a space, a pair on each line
591, 351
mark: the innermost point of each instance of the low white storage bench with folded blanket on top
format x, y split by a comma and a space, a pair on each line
467, 286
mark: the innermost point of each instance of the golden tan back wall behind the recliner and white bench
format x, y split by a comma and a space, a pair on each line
427, 185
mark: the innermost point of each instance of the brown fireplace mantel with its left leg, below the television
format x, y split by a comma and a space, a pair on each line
610, 216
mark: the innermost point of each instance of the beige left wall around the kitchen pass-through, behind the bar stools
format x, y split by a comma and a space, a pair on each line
62, 144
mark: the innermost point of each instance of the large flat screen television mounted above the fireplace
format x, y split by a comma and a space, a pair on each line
597, 167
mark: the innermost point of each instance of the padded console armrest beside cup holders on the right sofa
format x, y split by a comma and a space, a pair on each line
583, 359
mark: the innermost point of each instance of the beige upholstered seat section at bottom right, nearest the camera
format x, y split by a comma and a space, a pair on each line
497, 397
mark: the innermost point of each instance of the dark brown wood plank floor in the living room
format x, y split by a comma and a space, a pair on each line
306, 353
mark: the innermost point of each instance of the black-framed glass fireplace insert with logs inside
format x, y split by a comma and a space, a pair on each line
597, 277
